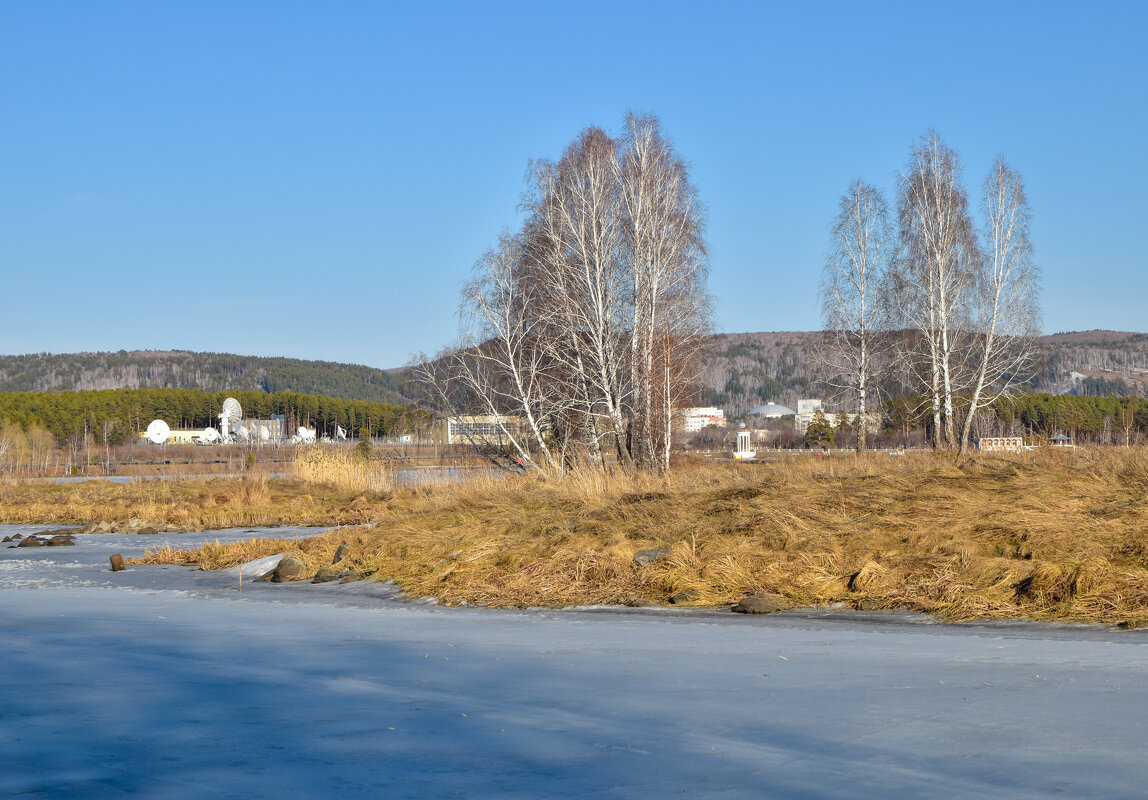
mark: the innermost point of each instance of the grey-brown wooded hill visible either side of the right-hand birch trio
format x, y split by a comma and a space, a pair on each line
747, 370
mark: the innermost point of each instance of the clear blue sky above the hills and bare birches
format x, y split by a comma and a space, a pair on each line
315, 181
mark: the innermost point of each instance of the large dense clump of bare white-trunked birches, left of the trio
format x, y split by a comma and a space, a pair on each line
588, 323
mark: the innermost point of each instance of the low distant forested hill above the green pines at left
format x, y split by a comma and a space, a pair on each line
207, 371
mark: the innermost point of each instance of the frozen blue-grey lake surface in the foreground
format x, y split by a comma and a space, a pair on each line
168, 684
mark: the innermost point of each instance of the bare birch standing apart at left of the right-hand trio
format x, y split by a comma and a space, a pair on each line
852, 316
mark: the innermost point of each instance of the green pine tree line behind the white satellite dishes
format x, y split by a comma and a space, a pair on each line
123, 414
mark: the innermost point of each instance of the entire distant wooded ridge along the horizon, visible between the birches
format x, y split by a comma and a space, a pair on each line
744, 370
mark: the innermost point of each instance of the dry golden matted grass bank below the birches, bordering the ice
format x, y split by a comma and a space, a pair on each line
1050, 537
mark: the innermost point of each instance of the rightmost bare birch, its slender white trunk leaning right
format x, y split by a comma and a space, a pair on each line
1006, 314
